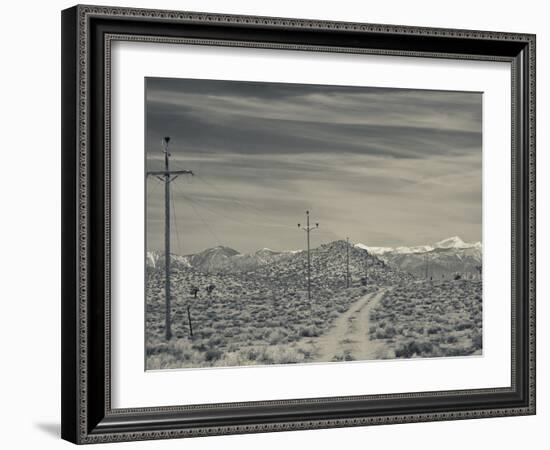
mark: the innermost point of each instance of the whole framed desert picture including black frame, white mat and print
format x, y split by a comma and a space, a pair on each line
278, 224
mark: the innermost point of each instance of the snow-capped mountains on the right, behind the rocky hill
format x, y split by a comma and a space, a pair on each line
444, 258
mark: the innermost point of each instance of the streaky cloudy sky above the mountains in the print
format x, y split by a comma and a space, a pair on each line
385, 167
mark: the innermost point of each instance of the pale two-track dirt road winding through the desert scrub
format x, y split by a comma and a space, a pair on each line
348, 339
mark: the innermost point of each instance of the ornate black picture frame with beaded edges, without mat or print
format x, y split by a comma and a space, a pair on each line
87, 35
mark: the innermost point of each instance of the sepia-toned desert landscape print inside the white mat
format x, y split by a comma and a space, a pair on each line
299, 223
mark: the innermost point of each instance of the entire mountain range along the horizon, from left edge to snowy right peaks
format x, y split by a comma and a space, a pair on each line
442, 259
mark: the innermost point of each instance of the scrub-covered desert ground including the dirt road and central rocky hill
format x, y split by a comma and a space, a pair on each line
261, 314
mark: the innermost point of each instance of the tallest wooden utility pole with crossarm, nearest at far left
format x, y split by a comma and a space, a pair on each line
167, 176
